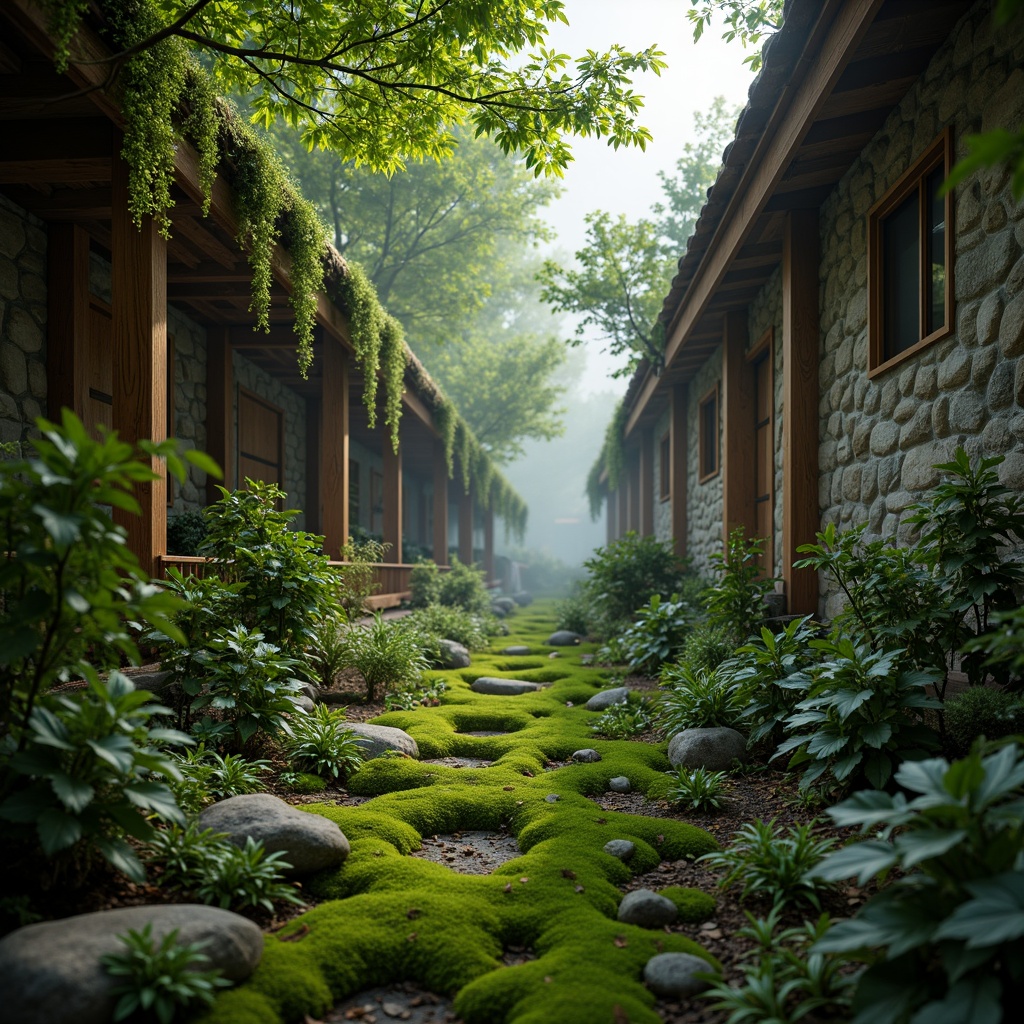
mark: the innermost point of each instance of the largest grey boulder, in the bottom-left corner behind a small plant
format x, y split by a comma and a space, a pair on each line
52, 972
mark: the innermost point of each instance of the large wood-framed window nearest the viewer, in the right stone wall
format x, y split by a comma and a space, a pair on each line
910, 286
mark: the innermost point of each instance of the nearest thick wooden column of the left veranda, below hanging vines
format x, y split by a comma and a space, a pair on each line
139, 259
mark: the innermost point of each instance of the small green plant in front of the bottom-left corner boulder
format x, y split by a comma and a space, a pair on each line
160, 978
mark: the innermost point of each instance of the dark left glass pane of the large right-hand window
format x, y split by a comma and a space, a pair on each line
901, 280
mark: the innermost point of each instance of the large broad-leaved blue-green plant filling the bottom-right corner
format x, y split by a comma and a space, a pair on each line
950, 930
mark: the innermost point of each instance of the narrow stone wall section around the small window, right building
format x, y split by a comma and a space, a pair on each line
704, 501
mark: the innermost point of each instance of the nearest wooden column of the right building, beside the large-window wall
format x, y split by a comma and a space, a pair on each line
800, 405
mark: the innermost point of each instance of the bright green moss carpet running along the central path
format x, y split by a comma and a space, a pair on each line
388, 917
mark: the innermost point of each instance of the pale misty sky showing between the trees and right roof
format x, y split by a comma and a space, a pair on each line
626, 181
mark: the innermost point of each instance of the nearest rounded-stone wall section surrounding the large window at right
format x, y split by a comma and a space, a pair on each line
880, 439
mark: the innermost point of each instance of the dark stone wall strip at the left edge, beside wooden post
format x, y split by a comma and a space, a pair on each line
23, 322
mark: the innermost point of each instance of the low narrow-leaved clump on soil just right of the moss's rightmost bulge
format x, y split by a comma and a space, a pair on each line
767, 862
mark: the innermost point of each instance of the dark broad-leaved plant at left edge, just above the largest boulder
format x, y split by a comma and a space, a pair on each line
83, 779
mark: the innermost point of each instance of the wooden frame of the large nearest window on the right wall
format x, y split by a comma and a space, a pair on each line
940, 154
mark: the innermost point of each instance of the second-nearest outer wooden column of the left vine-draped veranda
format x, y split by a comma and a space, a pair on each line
334, 482
